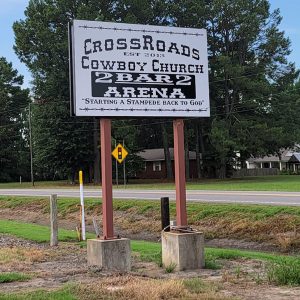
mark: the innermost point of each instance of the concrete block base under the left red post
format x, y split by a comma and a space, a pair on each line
112, 255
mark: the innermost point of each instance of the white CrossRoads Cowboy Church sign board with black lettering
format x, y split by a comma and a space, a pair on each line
131, 70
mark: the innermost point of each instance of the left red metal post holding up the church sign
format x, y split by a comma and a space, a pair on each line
106, 168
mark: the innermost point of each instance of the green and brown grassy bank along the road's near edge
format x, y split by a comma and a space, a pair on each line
277, 225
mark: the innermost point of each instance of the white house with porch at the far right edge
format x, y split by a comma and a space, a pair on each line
289, 160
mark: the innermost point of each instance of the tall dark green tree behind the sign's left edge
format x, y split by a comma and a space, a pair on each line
62, 144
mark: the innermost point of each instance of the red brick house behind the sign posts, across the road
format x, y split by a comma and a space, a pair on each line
155, 164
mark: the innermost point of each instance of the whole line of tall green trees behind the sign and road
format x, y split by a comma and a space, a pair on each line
254, 89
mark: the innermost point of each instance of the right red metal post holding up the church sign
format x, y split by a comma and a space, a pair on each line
181, 215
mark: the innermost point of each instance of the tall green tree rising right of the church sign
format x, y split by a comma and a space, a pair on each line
248, 63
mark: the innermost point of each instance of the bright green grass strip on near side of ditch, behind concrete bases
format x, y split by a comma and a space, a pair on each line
281, 269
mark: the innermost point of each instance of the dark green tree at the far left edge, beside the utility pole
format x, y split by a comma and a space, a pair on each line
14, 152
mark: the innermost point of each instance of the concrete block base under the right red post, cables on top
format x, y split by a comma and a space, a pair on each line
184, 250
